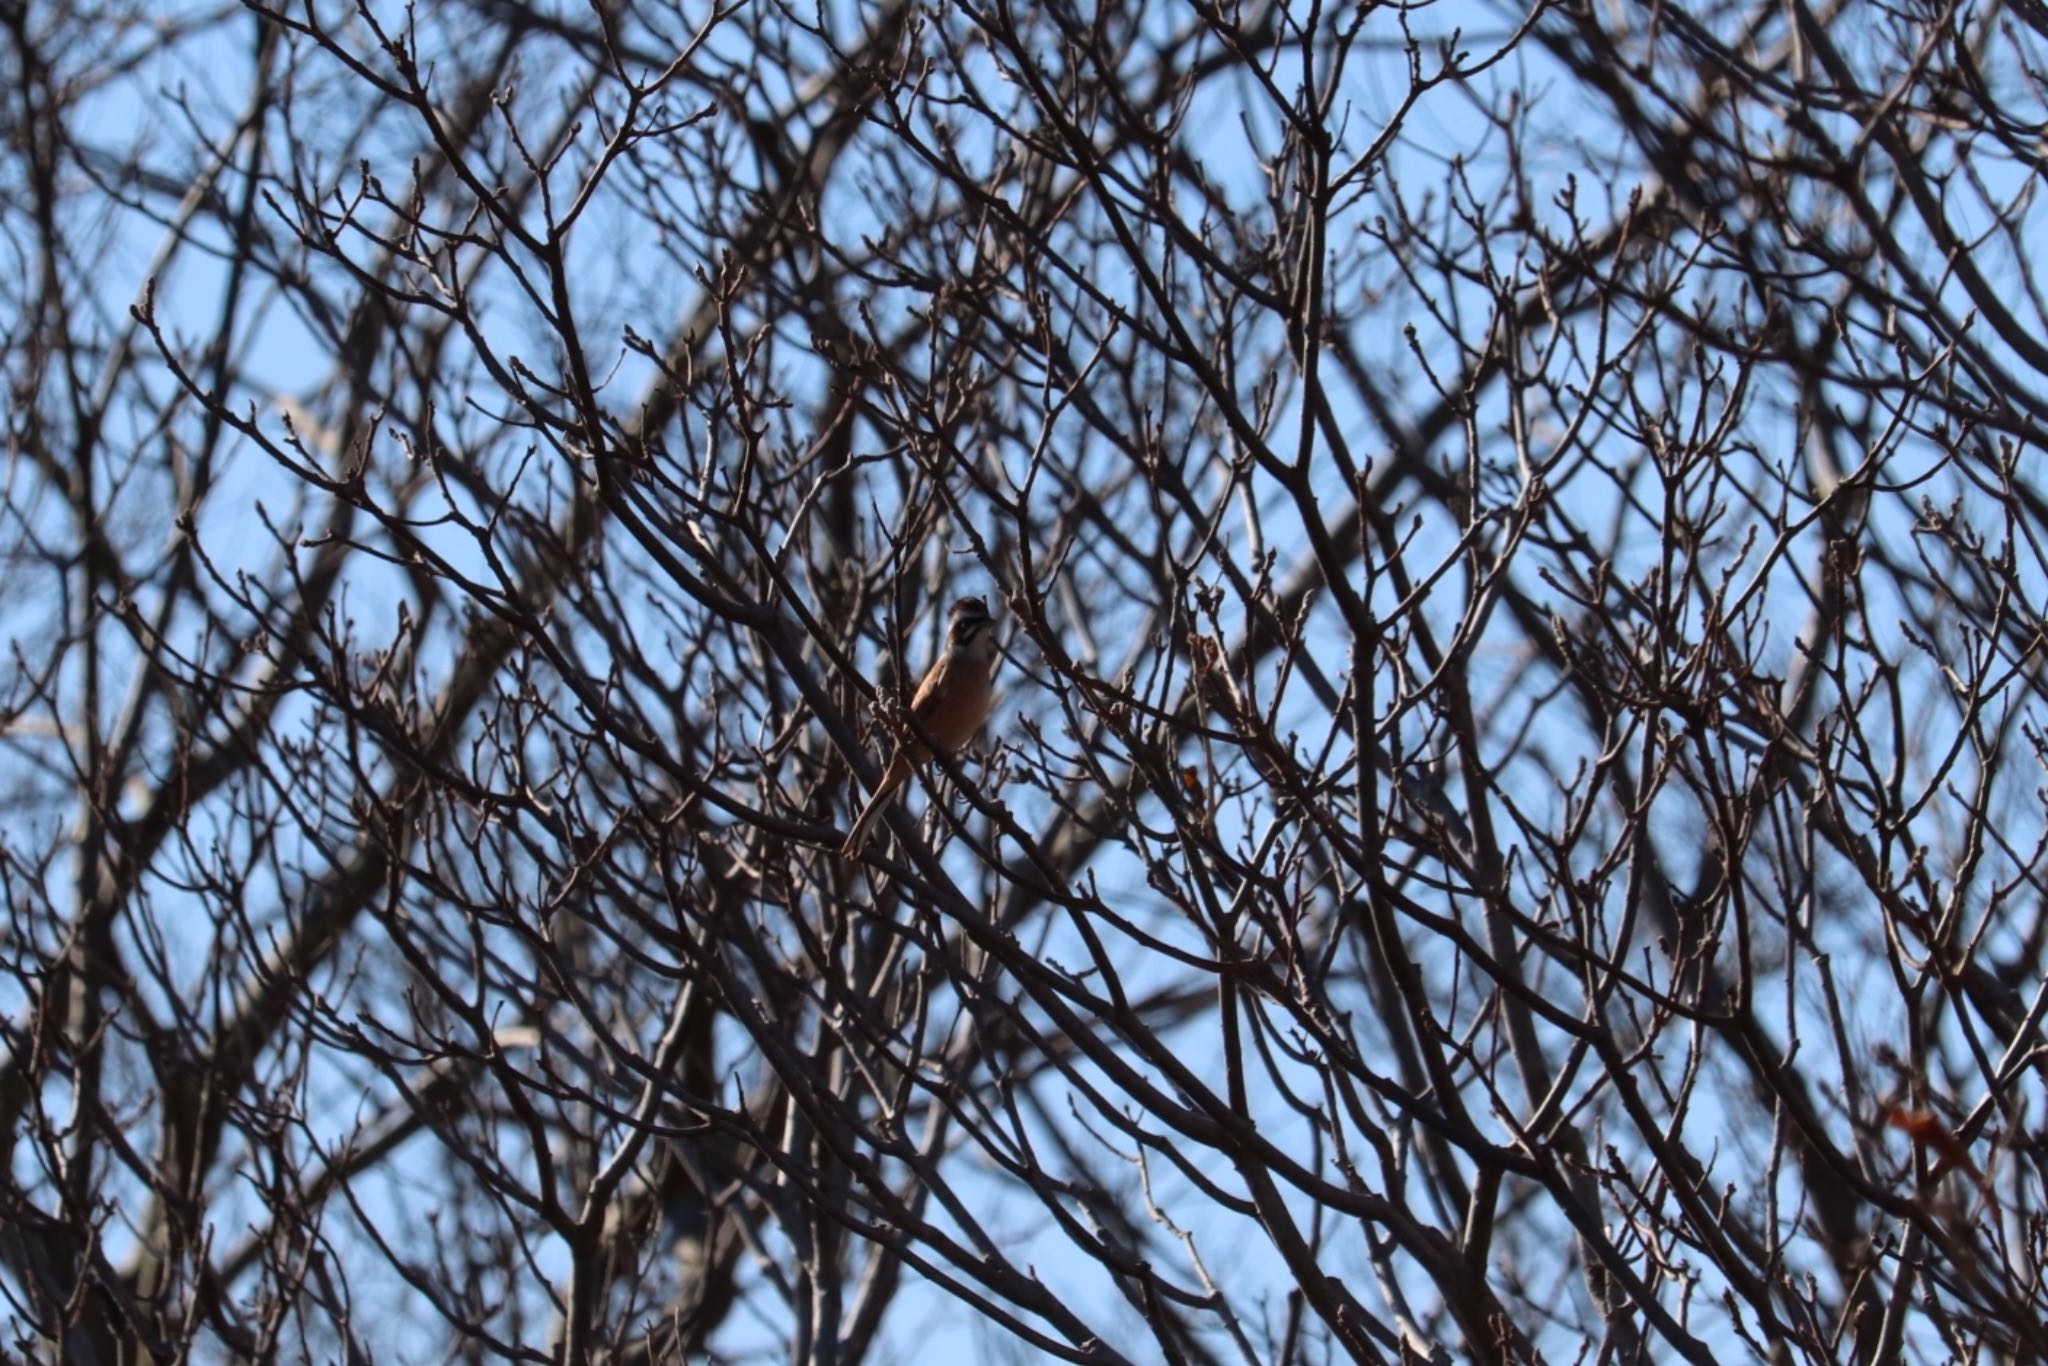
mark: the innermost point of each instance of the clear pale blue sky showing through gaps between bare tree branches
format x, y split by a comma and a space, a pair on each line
632, 282
